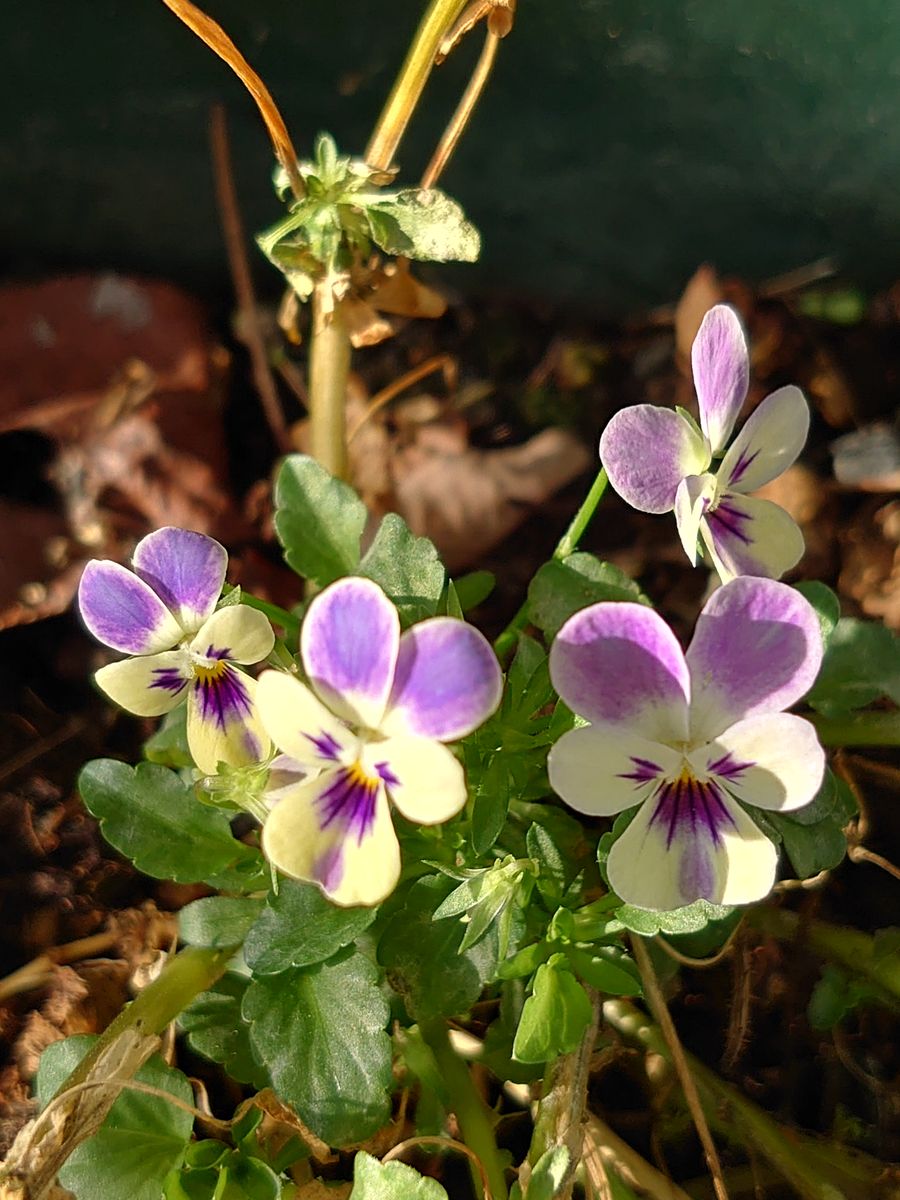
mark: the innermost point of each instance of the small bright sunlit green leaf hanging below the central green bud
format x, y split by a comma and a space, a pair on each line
555, 1016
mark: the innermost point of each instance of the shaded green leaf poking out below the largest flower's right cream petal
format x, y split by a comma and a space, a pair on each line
813, 837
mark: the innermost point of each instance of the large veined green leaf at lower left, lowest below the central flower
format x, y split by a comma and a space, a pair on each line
321, 1034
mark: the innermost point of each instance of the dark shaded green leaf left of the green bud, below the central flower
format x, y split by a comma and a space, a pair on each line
423, 959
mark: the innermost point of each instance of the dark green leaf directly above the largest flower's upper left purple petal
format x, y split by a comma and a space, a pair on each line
562, 589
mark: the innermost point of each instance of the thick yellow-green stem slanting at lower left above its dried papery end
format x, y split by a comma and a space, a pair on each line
193, 971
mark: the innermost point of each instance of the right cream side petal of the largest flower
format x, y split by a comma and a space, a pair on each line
773, 761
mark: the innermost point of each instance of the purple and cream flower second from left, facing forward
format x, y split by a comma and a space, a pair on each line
369, 728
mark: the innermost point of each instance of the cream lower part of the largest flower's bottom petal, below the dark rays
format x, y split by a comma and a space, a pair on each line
664, 866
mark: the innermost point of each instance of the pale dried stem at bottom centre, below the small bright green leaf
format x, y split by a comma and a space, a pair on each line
561, 1113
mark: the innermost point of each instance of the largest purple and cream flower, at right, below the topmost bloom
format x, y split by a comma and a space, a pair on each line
691, 739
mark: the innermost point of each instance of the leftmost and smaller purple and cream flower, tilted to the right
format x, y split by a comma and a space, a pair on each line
165, 615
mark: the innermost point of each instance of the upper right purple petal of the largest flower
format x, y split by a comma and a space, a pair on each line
757, 650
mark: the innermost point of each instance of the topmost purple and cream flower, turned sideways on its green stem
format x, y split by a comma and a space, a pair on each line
658, 459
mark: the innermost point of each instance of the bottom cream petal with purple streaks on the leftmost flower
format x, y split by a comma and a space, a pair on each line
223, 721
